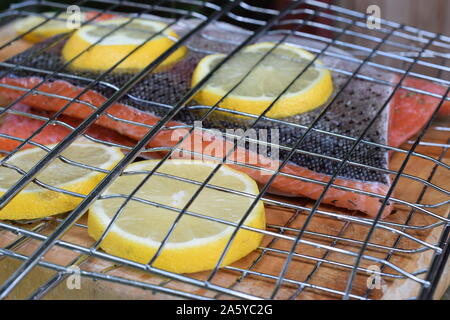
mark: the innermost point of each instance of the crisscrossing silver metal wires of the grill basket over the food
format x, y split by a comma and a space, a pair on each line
411, 54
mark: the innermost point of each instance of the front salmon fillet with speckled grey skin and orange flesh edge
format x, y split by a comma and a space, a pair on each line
347, 117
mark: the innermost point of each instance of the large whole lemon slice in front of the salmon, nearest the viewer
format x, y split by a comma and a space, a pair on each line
196, 243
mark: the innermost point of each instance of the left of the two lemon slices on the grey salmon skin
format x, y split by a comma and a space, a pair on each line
119, 44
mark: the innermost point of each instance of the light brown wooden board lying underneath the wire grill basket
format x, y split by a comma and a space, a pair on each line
304, 266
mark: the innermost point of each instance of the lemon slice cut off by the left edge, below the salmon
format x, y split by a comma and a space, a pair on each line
35, 201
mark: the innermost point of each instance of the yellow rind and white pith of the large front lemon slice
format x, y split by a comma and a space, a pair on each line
180, 257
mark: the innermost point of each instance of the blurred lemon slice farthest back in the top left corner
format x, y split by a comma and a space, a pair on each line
56, 25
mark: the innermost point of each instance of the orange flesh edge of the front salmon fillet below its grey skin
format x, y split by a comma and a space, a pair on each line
165, 138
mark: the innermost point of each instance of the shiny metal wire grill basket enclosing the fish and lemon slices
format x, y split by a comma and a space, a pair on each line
285, 232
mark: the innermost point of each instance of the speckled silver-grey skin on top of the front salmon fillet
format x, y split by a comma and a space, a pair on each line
348, 115
